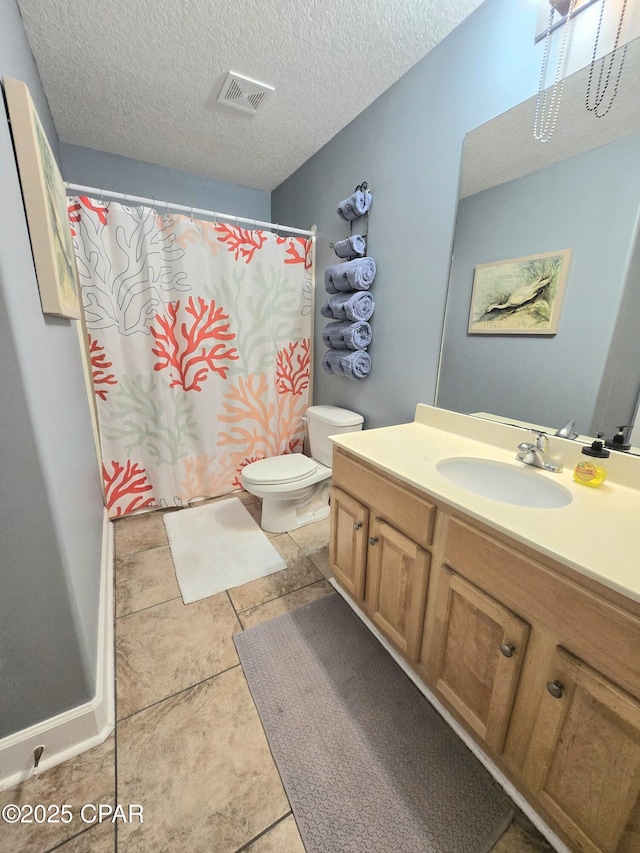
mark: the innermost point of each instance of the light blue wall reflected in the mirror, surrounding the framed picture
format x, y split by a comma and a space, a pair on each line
589, 204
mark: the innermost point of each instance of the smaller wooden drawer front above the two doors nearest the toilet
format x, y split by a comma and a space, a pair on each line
407, 511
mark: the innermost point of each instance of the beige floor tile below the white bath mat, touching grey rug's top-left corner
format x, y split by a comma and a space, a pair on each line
166, 648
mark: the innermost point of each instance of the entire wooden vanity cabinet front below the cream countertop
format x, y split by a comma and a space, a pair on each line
540, 663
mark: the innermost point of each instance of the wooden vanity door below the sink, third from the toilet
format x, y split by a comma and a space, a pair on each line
480, 657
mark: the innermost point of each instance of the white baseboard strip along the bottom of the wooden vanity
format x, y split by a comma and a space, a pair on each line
495, 771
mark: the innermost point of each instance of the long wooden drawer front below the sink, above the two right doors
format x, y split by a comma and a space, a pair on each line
550, 600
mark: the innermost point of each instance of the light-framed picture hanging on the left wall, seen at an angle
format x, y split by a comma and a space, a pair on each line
45, 202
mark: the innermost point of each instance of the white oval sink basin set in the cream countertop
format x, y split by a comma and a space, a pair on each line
500, 481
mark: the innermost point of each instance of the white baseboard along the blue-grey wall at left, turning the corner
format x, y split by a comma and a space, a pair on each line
67, 735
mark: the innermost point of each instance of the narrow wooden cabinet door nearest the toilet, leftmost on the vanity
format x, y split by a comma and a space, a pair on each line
348, 542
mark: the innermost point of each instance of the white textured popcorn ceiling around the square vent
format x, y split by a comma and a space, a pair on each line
140, 78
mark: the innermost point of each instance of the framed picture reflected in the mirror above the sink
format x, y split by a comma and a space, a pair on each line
519, 296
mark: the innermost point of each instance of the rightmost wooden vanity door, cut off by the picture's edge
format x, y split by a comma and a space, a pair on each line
583, 761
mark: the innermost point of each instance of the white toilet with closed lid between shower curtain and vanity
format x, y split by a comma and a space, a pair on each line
295, 488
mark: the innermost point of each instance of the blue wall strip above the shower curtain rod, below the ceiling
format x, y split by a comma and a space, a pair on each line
121, 174
